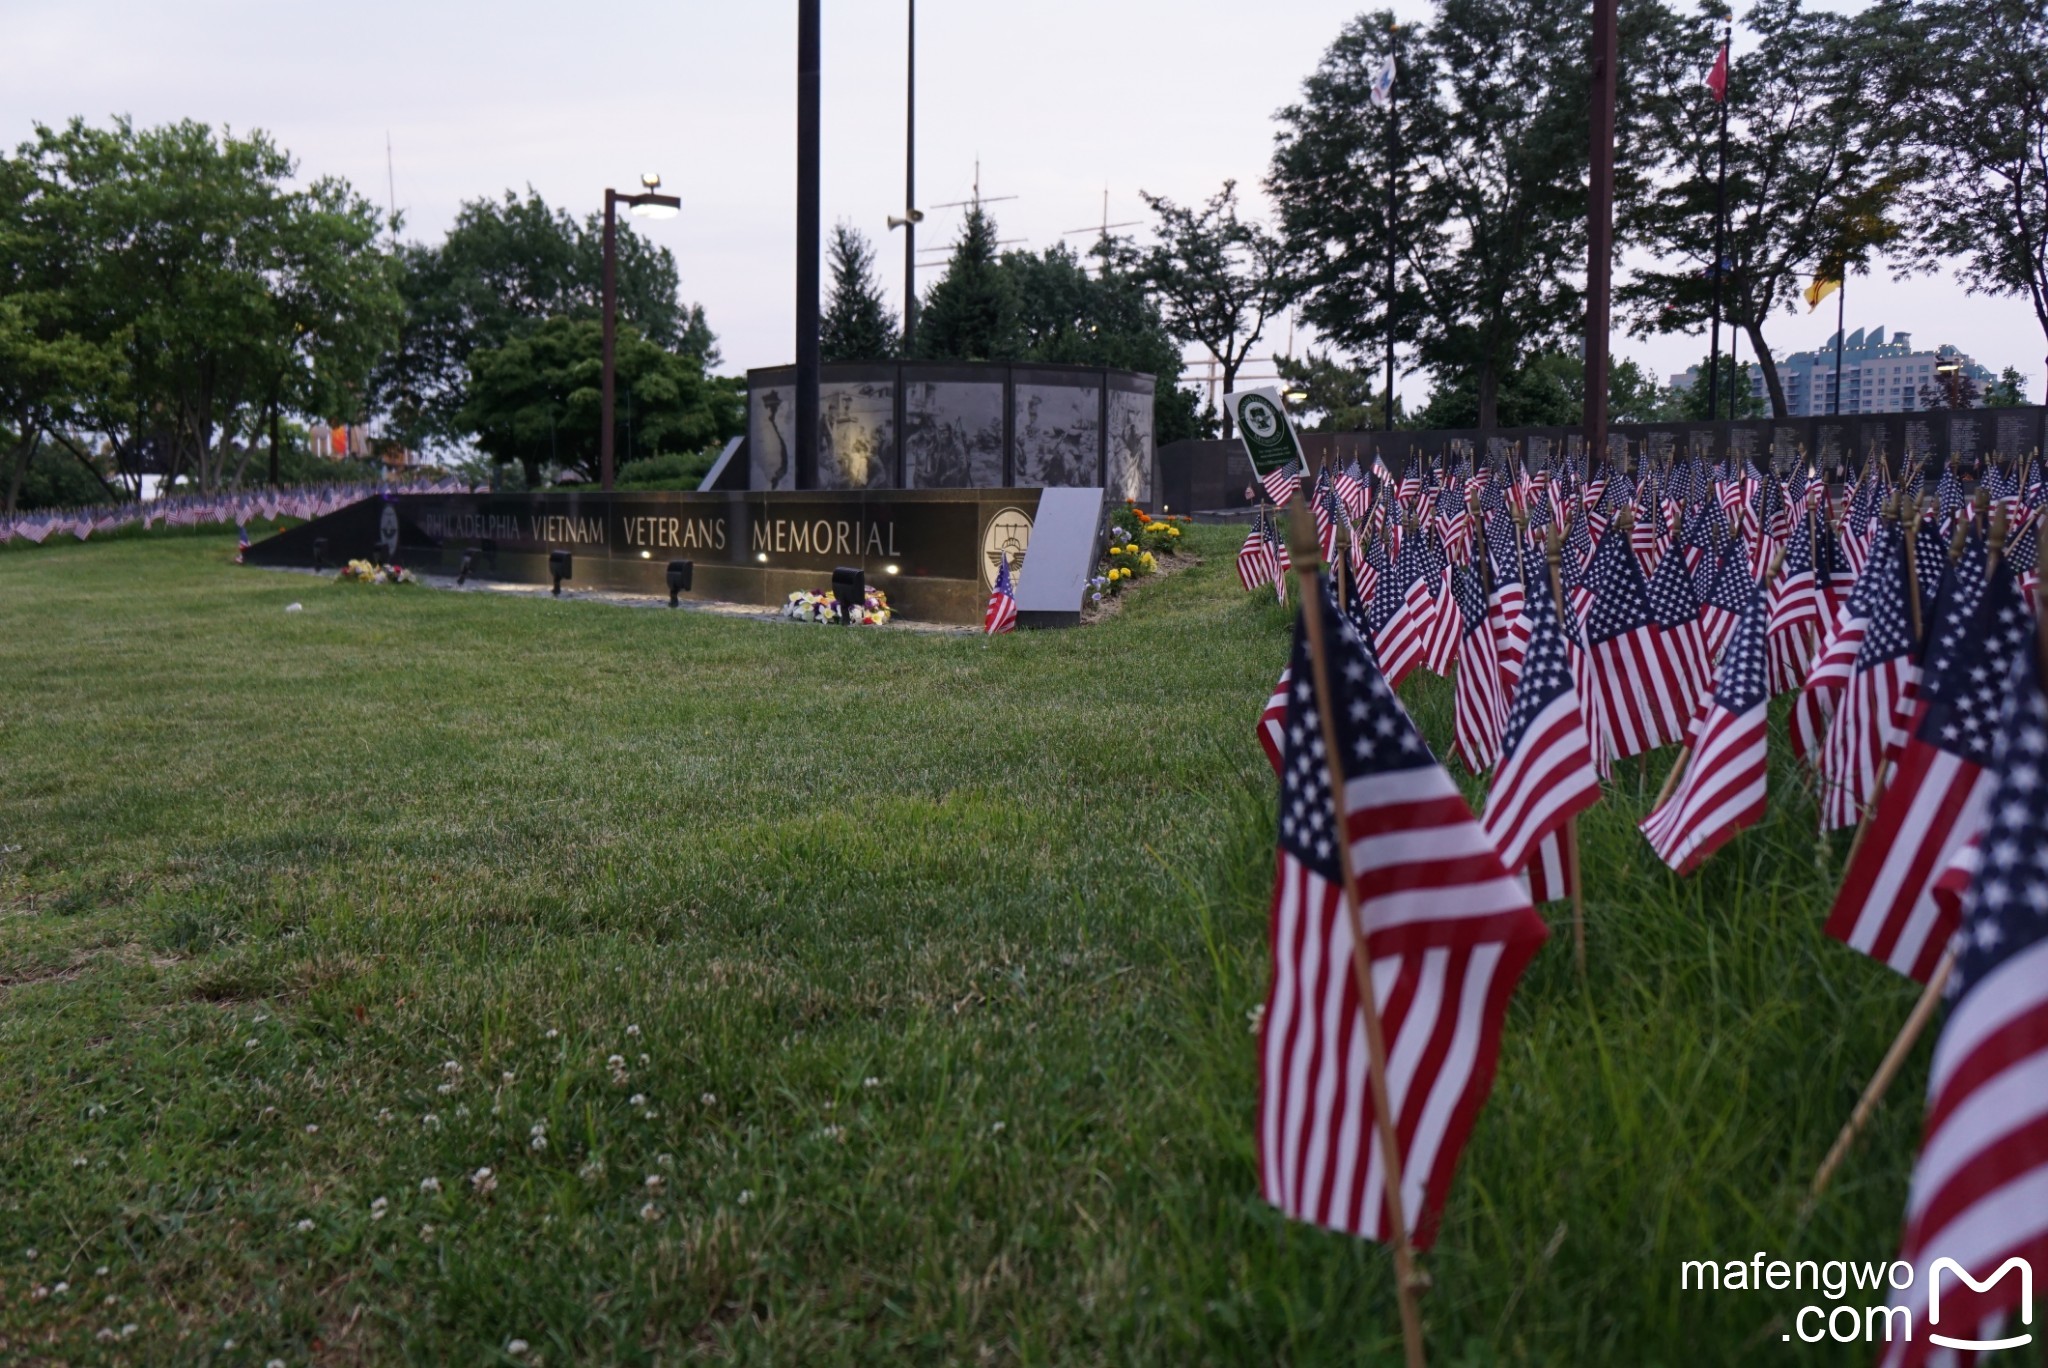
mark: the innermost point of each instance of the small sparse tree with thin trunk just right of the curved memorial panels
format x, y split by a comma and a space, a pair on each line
1215, 277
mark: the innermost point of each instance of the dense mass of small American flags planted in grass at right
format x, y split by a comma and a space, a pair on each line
1588, 617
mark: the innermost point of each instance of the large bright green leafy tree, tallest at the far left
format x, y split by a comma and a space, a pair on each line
226, 294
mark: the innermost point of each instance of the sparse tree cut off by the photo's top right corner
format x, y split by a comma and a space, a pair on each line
1973, 79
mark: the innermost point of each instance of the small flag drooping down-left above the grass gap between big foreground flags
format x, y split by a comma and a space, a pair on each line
1723, 785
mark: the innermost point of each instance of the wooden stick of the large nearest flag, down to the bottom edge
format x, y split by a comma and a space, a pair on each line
1308, 566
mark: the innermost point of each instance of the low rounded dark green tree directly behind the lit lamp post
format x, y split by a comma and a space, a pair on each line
538, 400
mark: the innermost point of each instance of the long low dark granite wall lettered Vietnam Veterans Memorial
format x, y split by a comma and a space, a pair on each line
925, 548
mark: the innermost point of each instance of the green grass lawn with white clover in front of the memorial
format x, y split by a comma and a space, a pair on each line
812, 996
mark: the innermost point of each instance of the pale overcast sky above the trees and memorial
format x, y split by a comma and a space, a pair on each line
1058, 99
